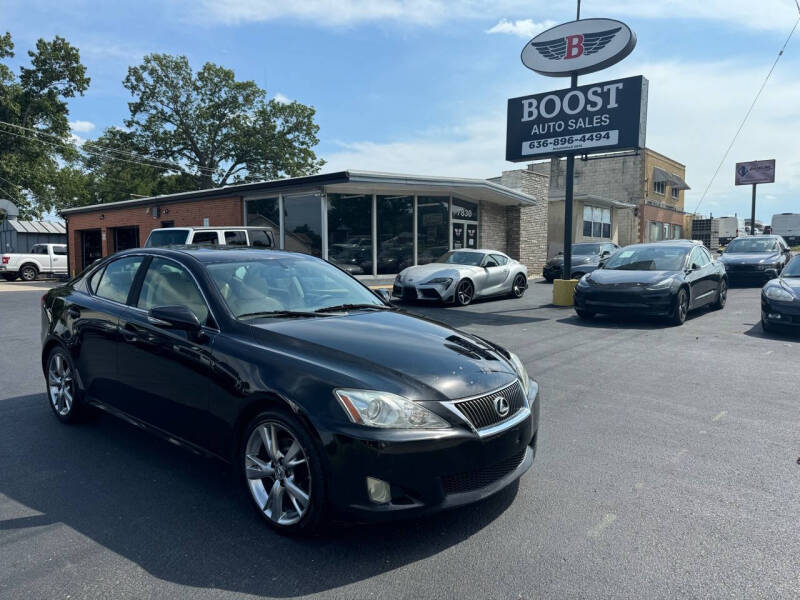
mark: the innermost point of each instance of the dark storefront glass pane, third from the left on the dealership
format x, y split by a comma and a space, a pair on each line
350, 232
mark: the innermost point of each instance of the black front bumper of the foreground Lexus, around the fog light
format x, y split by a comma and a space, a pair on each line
428, 471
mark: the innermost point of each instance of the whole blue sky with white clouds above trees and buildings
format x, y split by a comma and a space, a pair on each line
420, 85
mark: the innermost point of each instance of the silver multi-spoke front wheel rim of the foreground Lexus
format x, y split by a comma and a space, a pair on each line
278, 473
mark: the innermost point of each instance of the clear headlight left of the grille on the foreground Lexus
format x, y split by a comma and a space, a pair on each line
387, 410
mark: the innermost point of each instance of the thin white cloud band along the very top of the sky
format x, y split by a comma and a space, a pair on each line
774, 15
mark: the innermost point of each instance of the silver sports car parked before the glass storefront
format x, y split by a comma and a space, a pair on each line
460, 276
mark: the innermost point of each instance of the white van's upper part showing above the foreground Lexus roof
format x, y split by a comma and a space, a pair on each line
257, 237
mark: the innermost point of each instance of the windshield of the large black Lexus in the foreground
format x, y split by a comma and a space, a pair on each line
263, 286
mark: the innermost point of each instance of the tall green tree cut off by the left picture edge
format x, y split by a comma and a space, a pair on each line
36, 146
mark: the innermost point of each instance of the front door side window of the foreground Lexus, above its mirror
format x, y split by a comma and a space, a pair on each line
168, 284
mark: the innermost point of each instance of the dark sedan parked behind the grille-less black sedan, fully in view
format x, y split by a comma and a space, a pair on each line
755, 258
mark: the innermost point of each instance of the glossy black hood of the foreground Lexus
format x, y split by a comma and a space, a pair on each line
393, 351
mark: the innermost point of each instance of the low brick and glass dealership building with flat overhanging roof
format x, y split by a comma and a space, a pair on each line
379, 223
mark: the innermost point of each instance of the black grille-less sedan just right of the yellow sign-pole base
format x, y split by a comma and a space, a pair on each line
666, 279
